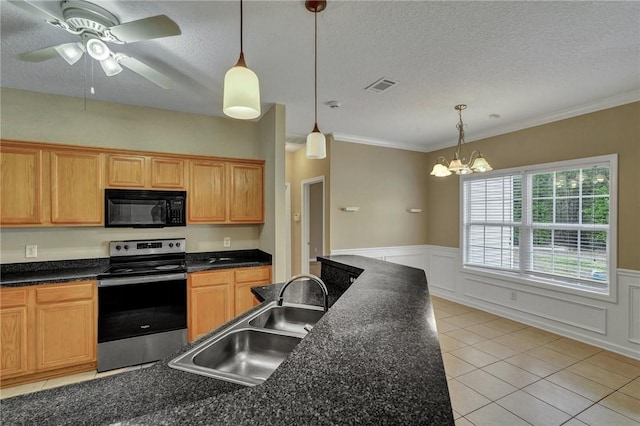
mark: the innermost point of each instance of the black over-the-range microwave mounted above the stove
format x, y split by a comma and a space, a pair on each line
132, 208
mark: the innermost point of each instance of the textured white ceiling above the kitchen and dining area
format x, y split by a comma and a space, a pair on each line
529, 62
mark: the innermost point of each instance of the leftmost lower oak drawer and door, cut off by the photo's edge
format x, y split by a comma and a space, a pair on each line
13, 333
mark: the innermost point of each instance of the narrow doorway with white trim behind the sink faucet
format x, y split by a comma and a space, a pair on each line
313, 219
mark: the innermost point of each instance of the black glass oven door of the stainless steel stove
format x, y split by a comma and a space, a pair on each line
143, 305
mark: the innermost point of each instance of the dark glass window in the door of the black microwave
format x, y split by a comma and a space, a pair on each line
137, 212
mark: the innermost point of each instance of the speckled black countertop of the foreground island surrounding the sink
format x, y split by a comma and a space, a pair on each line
374, 358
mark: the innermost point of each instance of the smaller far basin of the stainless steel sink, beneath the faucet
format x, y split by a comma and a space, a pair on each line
293, 319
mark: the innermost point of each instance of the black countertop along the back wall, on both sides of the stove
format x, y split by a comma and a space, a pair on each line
59, 271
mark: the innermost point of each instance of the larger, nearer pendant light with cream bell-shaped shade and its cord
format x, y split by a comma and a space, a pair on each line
241, 97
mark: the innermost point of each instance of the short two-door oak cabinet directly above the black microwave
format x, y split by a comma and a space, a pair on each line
139, 171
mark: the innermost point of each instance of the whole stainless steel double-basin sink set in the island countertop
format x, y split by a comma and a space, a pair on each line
249, 351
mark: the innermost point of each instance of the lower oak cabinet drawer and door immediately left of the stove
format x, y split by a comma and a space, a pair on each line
66, 325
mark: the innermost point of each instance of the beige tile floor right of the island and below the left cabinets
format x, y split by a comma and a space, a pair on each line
501, 372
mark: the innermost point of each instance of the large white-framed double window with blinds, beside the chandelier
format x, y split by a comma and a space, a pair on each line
551, 223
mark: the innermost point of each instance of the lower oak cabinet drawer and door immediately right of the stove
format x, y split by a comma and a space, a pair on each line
210, 302
